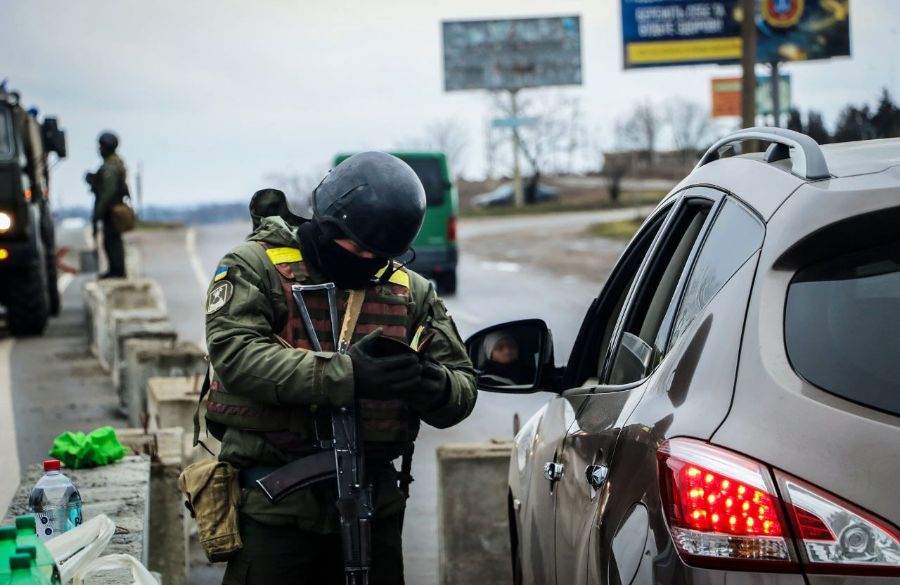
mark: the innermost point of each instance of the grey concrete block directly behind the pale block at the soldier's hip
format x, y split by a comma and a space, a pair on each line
145, 359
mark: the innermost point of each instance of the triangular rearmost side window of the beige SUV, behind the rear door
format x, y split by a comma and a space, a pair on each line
733, 238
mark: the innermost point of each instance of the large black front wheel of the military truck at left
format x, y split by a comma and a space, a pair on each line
28, 306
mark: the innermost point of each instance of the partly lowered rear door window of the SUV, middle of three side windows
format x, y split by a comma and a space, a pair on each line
642, 342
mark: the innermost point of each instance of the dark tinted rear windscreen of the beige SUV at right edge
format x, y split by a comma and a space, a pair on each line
841, 326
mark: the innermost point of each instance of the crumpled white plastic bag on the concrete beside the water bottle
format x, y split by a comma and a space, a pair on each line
77, 553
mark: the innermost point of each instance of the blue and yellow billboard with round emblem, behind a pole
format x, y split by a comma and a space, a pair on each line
690, 32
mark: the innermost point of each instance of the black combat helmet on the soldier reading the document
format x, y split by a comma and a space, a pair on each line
376, 199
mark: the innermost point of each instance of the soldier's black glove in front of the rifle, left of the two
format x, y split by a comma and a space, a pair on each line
382, 378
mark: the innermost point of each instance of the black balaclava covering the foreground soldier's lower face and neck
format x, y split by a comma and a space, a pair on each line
342, 267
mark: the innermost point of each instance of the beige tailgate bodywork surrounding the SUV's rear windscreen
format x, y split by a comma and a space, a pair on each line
845, 448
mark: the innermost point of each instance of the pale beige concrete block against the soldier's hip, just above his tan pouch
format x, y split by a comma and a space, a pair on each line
172, 402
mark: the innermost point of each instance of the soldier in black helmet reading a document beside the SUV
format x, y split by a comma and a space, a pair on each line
269, 402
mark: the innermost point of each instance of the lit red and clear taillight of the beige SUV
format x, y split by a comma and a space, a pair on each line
724, 512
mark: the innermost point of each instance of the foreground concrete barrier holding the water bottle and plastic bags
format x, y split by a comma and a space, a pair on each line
121, 491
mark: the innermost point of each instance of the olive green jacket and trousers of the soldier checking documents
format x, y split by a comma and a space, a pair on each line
243, 320
